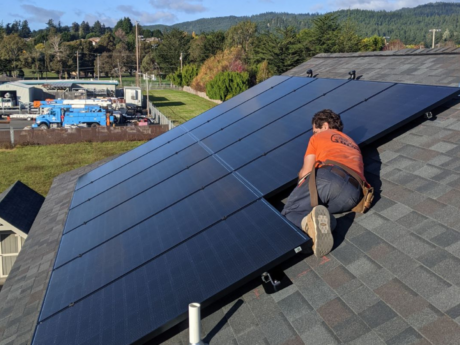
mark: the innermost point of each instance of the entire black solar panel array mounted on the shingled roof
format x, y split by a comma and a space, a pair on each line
182, 218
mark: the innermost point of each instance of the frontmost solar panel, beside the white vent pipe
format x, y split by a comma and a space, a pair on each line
144, 300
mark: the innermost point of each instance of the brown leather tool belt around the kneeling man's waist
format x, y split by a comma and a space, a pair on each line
356, 180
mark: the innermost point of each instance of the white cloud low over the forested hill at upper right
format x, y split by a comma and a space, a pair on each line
387, 5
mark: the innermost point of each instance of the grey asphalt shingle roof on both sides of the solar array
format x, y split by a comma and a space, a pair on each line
392, 277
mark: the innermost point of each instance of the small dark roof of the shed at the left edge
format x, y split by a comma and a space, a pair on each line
19, 205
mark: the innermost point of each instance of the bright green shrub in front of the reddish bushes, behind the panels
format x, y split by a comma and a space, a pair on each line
227, 84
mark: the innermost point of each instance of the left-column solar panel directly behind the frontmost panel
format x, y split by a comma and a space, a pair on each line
146, 241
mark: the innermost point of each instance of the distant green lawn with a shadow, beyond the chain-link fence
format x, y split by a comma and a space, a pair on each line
179, 106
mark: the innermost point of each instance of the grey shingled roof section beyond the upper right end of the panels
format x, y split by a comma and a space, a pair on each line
414, 66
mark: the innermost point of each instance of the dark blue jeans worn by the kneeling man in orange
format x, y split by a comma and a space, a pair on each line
335, 191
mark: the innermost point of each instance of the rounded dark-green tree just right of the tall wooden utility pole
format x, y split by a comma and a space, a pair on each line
169, 51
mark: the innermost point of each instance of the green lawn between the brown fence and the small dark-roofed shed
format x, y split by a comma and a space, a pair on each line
37, 166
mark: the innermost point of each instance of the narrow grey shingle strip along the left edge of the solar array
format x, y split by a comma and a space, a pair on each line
22, 295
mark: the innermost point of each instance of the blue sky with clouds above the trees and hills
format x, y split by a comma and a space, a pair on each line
148, 12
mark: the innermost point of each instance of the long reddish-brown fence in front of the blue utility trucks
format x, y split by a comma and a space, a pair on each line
76, 135
